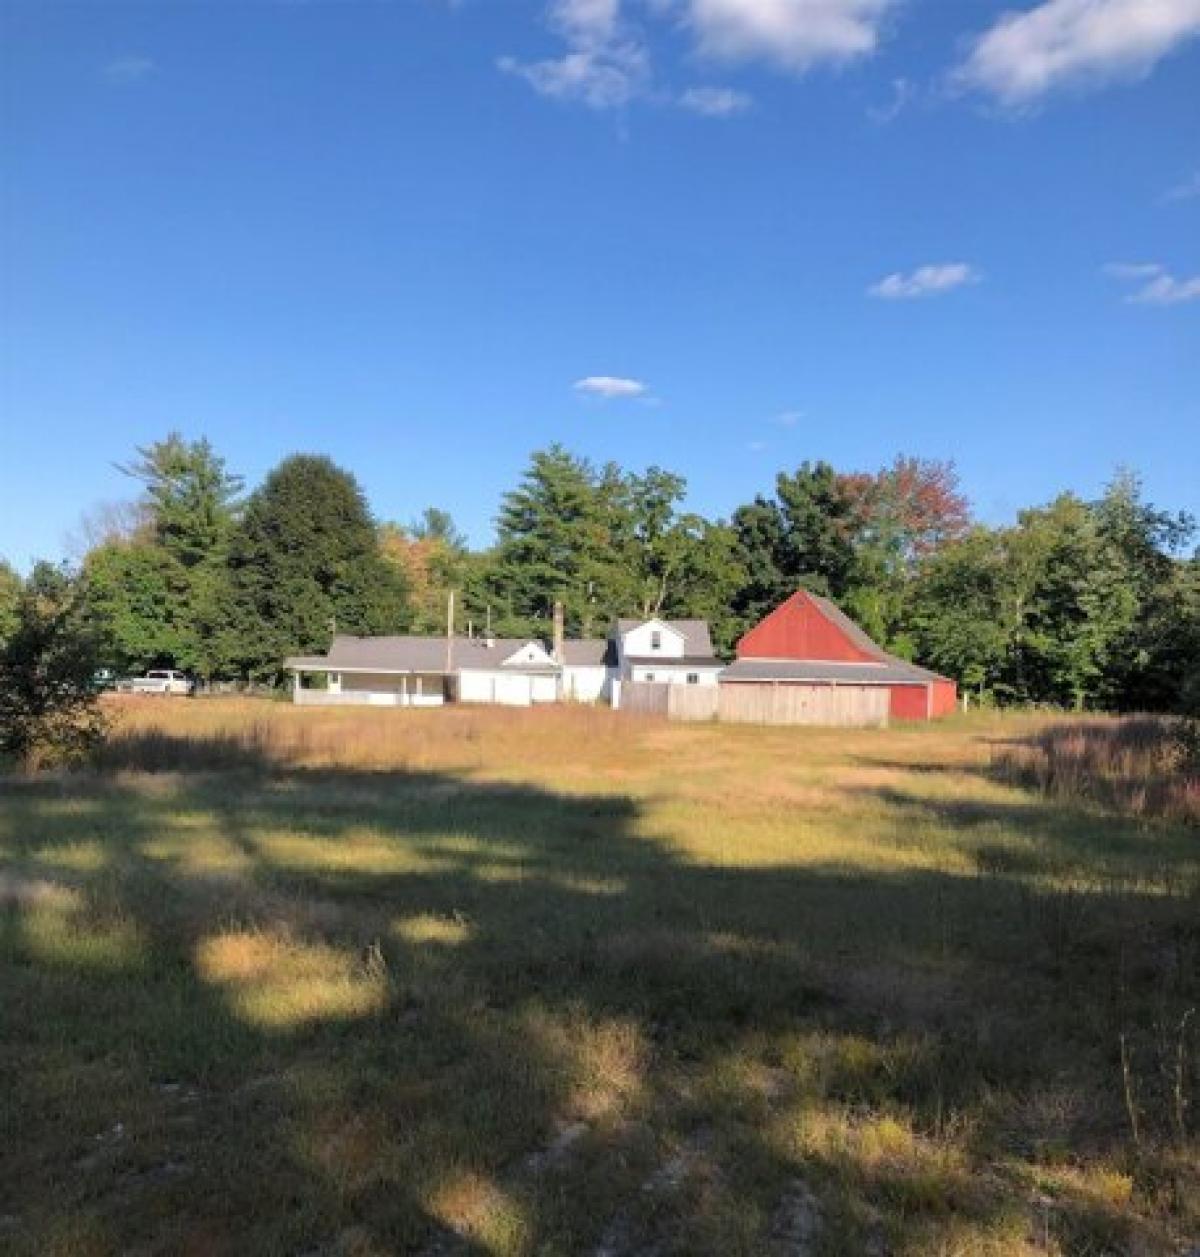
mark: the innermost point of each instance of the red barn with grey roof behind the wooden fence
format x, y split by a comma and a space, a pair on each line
809, 643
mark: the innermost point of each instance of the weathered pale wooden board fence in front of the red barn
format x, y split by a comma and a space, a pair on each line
846, 706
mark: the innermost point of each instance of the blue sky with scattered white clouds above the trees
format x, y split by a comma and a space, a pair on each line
719, 236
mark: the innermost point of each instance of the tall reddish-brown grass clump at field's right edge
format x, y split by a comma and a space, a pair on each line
1143, 766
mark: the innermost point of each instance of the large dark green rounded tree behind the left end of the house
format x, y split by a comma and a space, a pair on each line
305, 563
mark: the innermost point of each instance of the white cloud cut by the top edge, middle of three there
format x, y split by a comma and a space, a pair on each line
795, 35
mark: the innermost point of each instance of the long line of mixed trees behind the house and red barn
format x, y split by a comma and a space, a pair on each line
1077, 604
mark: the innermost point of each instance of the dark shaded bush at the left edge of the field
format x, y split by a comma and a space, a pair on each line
48, 701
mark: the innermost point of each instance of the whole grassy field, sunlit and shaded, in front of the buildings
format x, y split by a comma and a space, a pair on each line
337, 984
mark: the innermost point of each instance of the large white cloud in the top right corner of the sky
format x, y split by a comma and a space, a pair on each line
1027, 55
